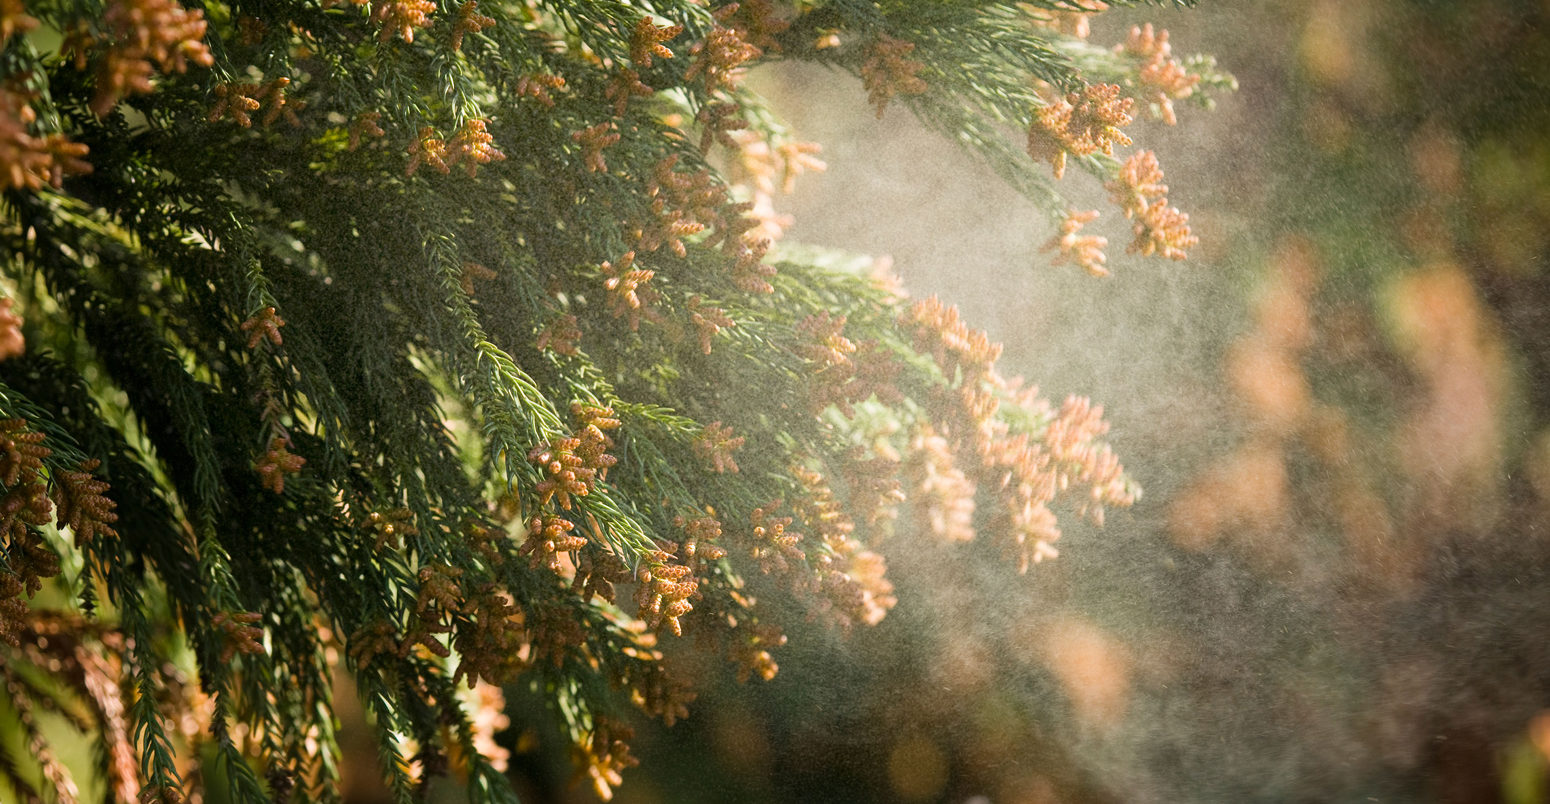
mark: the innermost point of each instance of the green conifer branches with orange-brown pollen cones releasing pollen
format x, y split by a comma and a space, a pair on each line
444, 340
